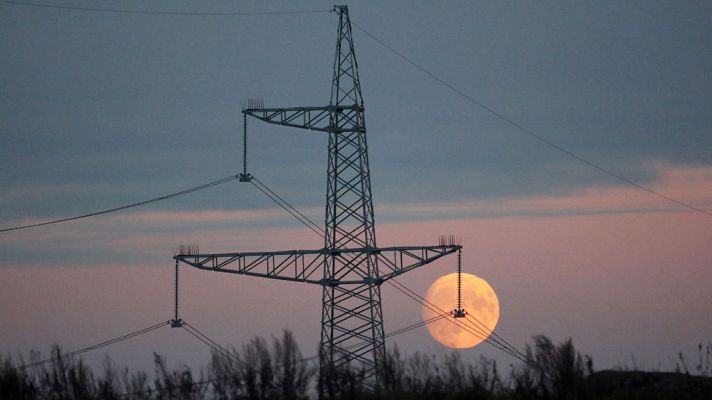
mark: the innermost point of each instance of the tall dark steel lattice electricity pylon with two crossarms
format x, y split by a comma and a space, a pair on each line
350, 267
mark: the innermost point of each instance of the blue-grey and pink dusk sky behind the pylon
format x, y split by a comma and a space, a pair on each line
100, 109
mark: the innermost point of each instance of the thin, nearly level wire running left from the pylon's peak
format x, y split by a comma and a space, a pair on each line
148, 12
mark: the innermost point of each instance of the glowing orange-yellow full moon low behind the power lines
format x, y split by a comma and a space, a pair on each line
479, 301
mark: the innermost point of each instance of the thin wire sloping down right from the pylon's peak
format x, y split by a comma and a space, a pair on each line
528, 131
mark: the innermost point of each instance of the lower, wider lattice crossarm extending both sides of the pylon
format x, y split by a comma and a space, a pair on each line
306, 265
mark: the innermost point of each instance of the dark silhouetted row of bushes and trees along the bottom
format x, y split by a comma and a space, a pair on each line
277, 370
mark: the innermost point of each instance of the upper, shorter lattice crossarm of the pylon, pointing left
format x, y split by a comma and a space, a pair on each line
314, 118
